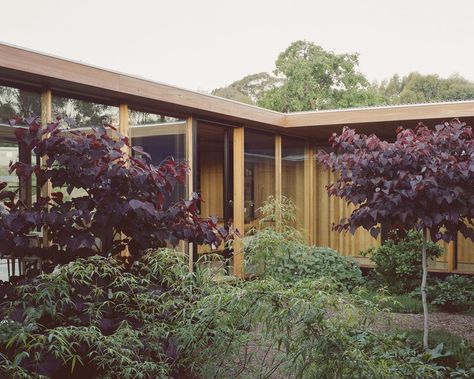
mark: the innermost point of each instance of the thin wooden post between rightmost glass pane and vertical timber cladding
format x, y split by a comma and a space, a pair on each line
309, 204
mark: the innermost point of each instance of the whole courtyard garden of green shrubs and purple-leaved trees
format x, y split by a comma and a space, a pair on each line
116, 300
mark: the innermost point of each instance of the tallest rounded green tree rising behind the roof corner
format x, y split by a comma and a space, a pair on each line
314, 79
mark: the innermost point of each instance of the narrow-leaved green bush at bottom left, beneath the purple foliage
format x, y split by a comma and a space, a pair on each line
93, 317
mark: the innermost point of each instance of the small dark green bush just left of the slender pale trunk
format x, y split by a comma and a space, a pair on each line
398, 263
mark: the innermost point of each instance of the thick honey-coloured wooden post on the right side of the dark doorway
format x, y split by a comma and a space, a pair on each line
239, 205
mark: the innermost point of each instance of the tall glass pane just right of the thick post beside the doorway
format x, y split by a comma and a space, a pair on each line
259, 165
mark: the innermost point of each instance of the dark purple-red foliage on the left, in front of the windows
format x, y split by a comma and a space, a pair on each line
121, 201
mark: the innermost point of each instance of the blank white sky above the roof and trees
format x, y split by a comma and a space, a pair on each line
204, 44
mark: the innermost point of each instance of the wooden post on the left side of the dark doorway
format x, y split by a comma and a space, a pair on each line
191, 128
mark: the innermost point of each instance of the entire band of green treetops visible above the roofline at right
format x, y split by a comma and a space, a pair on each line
308, 77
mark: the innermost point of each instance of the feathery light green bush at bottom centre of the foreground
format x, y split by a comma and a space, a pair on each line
303, 329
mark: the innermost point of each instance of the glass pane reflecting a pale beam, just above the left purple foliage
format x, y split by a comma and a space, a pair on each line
161, 137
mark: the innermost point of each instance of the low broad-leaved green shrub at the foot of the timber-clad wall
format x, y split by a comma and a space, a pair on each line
270, 253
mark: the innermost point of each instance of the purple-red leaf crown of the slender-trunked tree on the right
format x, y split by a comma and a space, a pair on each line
425, 179
